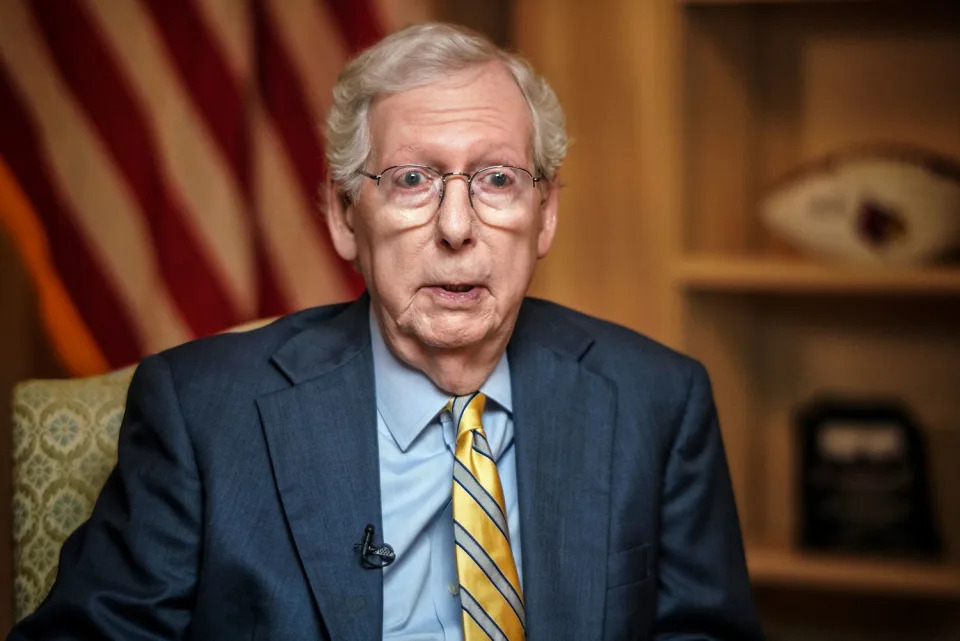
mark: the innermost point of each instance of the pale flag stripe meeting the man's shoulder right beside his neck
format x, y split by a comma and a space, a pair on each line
309, 274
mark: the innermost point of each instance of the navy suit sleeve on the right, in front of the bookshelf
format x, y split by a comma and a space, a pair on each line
704, 591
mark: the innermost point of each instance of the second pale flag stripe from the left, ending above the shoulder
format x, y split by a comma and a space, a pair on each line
190, 159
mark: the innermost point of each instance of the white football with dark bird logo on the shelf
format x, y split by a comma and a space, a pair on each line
877, 205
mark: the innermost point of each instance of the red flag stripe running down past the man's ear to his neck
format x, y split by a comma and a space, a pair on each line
282, 94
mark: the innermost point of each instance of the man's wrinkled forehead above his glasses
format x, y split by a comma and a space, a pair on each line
479, 111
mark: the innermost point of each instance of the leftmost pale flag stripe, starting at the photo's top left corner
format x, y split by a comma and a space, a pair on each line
82, 166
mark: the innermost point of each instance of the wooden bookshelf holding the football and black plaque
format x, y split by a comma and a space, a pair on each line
764, 87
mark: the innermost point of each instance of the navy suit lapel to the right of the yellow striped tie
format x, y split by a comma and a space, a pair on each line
563, 422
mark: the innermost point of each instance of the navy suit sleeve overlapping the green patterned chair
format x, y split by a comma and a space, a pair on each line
130, 571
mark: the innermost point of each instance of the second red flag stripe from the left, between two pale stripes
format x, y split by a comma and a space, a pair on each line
77, 48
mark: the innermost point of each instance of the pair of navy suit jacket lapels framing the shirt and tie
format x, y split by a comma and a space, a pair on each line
321, 435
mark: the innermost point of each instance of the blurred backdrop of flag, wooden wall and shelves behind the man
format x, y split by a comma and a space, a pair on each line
770, 186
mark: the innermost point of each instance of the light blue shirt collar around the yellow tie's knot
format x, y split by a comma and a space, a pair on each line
407, 400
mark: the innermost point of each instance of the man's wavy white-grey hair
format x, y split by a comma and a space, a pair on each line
420, 55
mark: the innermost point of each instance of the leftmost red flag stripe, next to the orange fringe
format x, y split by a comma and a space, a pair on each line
82, 275
